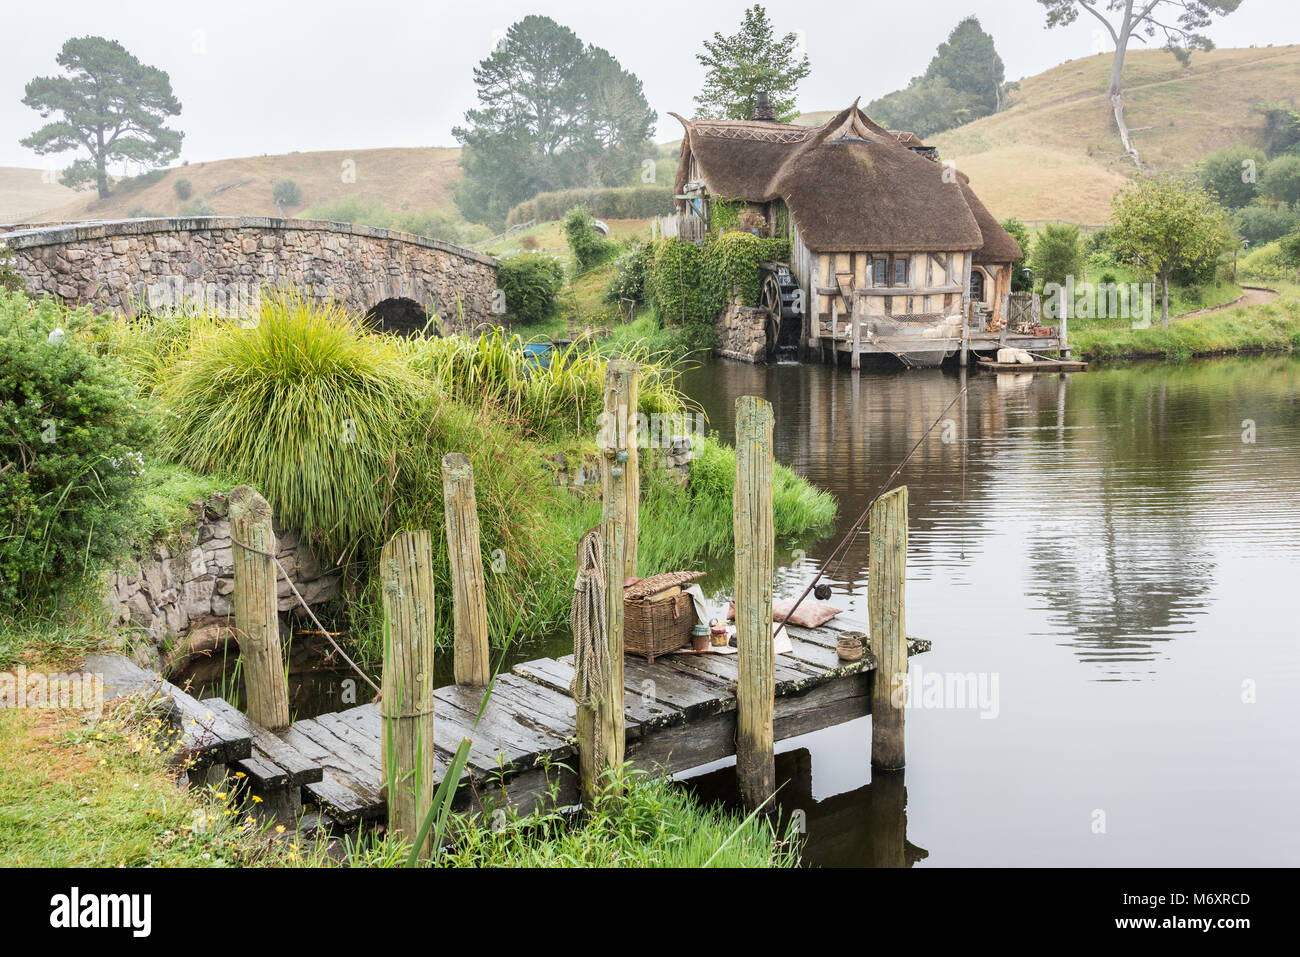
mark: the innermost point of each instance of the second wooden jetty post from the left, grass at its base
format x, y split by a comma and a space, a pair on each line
406, 734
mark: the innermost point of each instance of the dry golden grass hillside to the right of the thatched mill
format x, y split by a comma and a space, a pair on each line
1054, 154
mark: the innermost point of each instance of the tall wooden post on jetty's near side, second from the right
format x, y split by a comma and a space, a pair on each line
756, 690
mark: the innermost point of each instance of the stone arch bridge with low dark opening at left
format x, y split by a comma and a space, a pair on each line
224, 263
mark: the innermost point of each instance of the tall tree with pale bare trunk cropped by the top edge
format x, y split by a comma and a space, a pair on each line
1177, 21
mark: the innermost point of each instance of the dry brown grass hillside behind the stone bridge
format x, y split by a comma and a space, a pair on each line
400, 179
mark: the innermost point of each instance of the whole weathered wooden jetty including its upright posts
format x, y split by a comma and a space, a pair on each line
551, 730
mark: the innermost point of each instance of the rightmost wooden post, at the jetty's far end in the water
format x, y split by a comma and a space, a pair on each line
887, 607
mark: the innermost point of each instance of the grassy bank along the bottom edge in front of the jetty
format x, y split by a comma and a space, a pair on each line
102, 791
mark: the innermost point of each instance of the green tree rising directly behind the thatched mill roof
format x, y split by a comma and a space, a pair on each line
748, 63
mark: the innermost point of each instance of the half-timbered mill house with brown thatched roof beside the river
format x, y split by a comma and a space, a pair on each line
881, 232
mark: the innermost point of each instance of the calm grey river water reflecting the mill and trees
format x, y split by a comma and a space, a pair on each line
1116, 557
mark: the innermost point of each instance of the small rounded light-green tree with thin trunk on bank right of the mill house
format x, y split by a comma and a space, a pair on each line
1164, 224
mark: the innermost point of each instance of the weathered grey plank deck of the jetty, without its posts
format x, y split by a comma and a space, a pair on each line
681, 714
